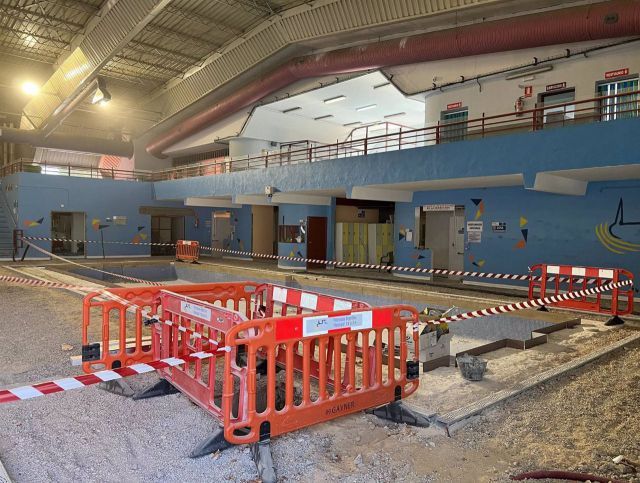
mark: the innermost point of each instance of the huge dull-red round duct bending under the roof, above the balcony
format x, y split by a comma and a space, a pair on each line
618, 18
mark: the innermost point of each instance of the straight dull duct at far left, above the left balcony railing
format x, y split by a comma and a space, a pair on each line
67, 142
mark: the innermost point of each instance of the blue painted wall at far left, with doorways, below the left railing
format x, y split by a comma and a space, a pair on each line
39, 195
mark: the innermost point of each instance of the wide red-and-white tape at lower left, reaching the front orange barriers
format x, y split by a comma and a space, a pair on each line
76, 382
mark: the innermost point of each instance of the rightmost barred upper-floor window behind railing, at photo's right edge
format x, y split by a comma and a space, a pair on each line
622, 106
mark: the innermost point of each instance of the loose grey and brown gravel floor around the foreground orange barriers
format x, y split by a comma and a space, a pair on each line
92, 435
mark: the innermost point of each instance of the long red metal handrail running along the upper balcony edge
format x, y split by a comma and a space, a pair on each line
583, 111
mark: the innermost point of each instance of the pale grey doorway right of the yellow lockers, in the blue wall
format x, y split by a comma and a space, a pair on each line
444, 236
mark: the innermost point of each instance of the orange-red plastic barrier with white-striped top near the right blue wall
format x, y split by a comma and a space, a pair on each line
547, 280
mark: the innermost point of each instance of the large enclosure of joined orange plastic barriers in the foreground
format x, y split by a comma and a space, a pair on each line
294, 358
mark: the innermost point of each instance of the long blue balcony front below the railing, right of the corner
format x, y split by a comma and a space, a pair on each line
591, 145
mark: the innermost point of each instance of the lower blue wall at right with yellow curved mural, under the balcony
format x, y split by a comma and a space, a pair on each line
560, 229
